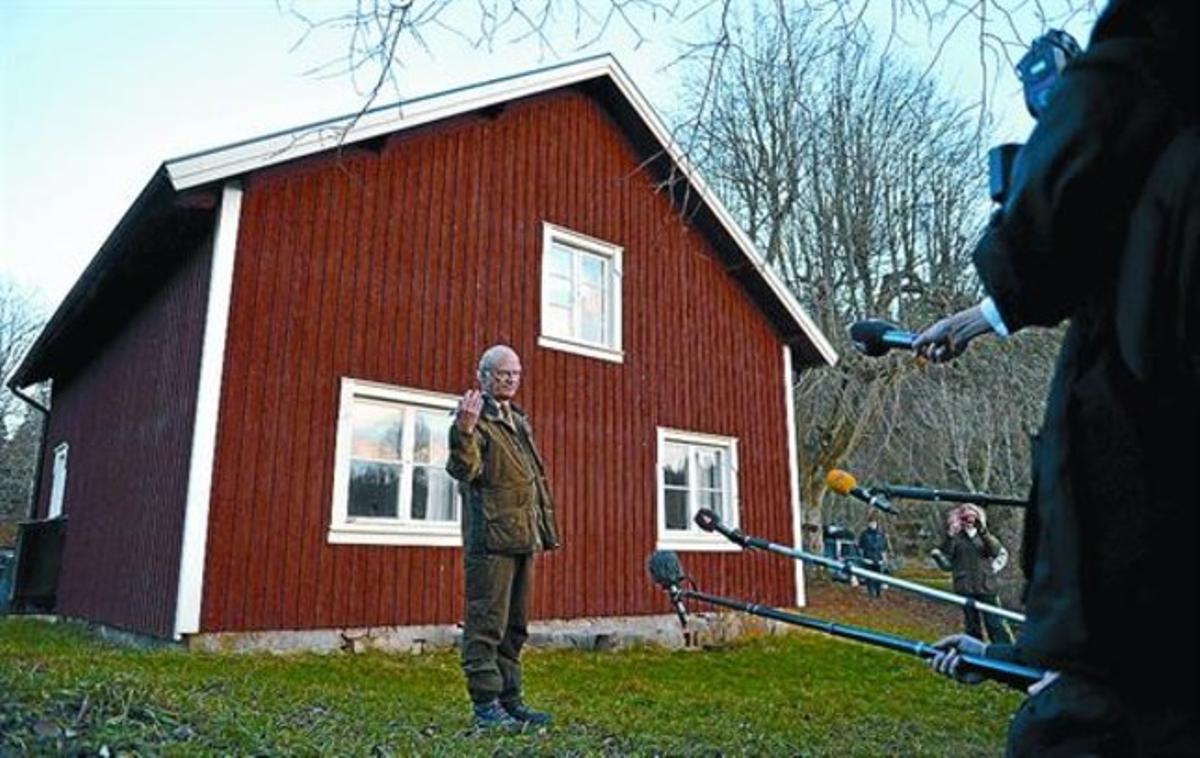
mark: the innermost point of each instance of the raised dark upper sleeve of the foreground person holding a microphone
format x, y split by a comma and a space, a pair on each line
1073, 188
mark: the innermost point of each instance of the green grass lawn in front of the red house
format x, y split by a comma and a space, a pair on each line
62, 690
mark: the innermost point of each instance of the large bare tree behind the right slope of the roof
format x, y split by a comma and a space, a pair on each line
862, 185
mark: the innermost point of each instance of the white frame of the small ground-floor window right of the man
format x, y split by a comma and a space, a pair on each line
695, 539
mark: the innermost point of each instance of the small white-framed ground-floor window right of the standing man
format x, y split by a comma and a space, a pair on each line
695, 472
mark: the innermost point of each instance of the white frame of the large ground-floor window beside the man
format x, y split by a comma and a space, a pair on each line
346, 530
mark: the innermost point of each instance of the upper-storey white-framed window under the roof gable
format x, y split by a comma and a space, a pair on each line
580, 294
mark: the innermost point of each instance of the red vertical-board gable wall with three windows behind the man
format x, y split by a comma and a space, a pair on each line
401, 266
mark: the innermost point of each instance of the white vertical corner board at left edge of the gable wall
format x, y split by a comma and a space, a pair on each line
205, 434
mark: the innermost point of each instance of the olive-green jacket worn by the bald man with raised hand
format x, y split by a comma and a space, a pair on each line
508, 508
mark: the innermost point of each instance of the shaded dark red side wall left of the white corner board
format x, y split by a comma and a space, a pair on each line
128, 418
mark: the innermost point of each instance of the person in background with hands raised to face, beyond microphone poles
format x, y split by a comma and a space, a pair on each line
975, 557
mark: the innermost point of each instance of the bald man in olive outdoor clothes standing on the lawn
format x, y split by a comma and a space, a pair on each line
508, 518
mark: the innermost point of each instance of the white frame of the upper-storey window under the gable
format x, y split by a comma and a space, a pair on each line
554, 236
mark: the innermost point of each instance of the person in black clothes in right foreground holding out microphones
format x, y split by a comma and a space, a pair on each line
1101, 228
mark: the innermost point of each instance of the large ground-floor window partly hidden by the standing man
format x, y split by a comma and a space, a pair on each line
391, 485
